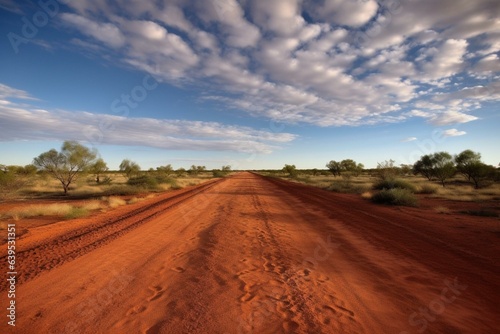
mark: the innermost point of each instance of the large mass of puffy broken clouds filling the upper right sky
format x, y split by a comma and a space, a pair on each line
327, 63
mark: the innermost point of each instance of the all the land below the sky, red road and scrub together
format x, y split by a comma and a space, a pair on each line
272, 251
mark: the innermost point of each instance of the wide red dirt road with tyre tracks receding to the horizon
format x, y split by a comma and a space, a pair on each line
253, 255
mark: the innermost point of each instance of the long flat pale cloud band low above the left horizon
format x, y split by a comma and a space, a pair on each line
21, 122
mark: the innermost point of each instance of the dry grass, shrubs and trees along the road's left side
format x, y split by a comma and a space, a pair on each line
75, 181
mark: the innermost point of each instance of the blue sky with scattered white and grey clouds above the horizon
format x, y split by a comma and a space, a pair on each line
250, 83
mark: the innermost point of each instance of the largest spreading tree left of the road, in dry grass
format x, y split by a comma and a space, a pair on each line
65, 165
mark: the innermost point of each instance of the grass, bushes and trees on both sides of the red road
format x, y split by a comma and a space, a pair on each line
76, 172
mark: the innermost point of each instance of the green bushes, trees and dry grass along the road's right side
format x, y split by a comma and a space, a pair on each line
463, 177
